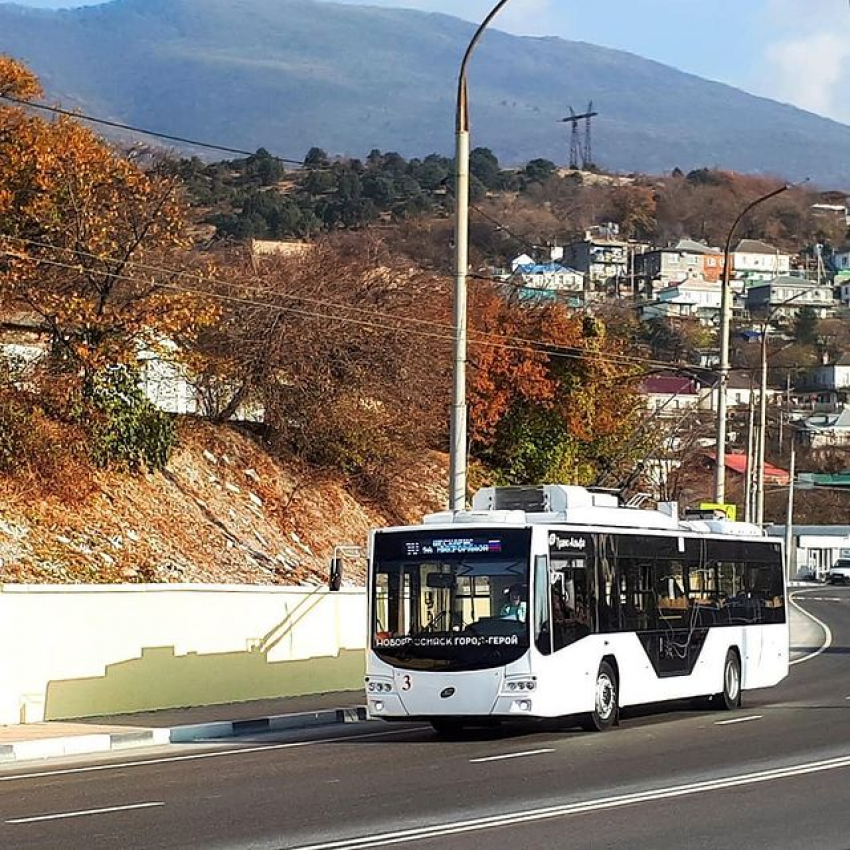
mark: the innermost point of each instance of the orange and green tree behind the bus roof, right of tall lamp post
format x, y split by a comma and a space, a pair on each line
552, 397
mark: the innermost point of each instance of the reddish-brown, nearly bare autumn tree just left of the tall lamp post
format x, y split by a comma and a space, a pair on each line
346, 350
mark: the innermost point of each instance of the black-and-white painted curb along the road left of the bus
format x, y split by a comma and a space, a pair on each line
102, 742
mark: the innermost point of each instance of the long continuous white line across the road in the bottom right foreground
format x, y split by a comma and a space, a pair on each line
530, 815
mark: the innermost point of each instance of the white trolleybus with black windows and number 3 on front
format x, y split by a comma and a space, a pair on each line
554, 600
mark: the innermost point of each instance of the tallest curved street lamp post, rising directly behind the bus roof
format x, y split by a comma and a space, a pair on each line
457, 454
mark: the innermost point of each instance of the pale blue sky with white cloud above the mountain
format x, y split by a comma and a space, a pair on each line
794, 51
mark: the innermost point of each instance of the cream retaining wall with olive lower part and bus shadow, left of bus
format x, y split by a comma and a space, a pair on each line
71, 651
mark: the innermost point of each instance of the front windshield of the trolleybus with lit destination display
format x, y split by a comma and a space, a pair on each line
451, 600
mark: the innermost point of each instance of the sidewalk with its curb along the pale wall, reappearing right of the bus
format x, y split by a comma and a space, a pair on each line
54, 739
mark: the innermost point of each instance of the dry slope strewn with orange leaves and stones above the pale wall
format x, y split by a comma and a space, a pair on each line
223, 511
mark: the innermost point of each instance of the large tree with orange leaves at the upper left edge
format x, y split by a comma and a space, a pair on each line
85, 236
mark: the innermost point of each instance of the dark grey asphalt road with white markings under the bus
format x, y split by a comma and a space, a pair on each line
775, 774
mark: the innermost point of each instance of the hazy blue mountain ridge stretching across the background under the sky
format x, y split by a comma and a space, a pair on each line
291, 74
